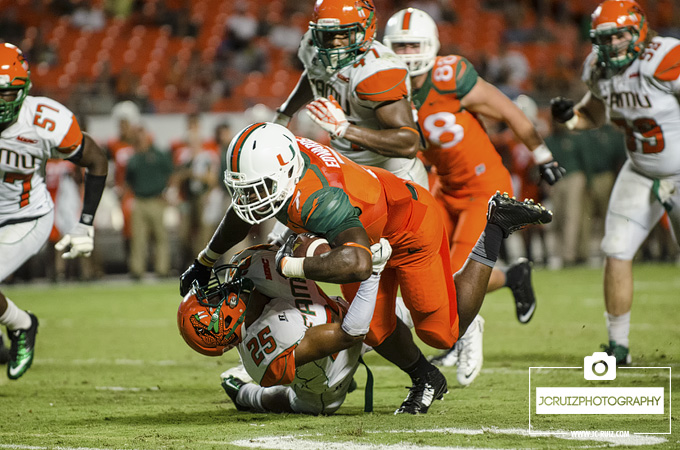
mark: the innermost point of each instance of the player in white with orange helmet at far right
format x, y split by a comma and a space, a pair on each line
633, 77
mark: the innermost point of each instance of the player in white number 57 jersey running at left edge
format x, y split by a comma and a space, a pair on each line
33, 130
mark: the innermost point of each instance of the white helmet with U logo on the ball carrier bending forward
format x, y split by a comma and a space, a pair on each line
264, 163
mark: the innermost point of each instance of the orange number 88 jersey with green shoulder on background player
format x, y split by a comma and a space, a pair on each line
458, 145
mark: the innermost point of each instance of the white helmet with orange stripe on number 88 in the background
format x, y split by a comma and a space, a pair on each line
413, 26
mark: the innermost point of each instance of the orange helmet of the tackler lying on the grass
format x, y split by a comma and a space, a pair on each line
210, 317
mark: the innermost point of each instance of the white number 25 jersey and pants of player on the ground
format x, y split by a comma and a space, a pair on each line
268, 344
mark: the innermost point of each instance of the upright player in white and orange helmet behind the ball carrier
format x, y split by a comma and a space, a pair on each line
358, 88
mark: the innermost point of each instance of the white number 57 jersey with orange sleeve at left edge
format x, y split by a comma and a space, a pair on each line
45, 129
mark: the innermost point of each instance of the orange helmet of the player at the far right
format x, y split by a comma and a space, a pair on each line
613, 18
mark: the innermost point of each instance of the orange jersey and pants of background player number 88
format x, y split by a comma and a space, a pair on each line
469, 169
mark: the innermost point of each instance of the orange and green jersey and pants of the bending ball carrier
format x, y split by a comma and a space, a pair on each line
335, 194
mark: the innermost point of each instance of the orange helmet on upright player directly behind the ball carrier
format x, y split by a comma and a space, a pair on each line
353, 18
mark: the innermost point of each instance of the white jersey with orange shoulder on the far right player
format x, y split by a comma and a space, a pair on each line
643, 101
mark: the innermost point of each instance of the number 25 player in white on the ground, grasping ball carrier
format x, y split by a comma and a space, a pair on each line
269, 327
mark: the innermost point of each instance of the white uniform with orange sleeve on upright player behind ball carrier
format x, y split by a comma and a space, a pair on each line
378, 76
